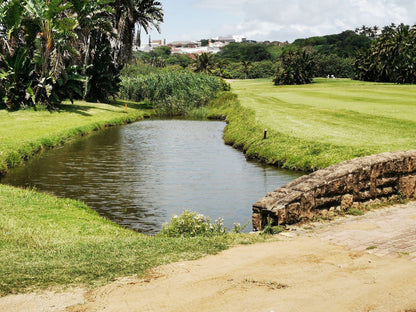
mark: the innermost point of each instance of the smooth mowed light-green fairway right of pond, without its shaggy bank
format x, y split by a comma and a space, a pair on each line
374, 117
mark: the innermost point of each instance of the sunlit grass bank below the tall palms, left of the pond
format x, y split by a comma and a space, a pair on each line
25, 133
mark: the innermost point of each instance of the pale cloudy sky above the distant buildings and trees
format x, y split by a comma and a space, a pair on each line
281, 20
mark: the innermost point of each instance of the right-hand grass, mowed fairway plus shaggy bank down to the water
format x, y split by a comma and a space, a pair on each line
317, 125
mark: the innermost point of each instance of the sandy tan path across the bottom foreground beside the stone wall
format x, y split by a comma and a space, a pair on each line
304, 272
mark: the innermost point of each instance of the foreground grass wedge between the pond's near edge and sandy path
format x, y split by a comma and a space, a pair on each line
46, 241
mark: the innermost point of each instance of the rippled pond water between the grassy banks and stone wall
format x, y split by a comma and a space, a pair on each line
141, 174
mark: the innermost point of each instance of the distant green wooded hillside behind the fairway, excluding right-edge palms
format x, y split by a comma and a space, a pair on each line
334, 55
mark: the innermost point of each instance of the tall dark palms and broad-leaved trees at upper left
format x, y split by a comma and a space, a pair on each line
57, 49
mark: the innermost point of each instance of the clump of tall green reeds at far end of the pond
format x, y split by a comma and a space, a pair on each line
172, 92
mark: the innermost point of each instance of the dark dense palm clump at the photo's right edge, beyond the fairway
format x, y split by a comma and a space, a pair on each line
391, 57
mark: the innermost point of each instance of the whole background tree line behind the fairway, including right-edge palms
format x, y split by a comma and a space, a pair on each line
385, 54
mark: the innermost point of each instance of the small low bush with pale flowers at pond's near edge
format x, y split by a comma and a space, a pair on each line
191, 224
